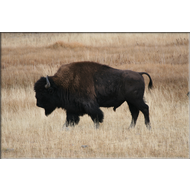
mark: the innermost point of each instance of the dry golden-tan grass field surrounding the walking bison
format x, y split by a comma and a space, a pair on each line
27, 133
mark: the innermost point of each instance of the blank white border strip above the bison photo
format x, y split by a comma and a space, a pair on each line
94, 16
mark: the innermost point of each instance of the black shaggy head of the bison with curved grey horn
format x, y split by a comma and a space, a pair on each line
46, 94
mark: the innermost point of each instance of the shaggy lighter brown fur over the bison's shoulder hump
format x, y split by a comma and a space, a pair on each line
77, 79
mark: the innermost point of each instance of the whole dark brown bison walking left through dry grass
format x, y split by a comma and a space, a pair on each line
83, 87
